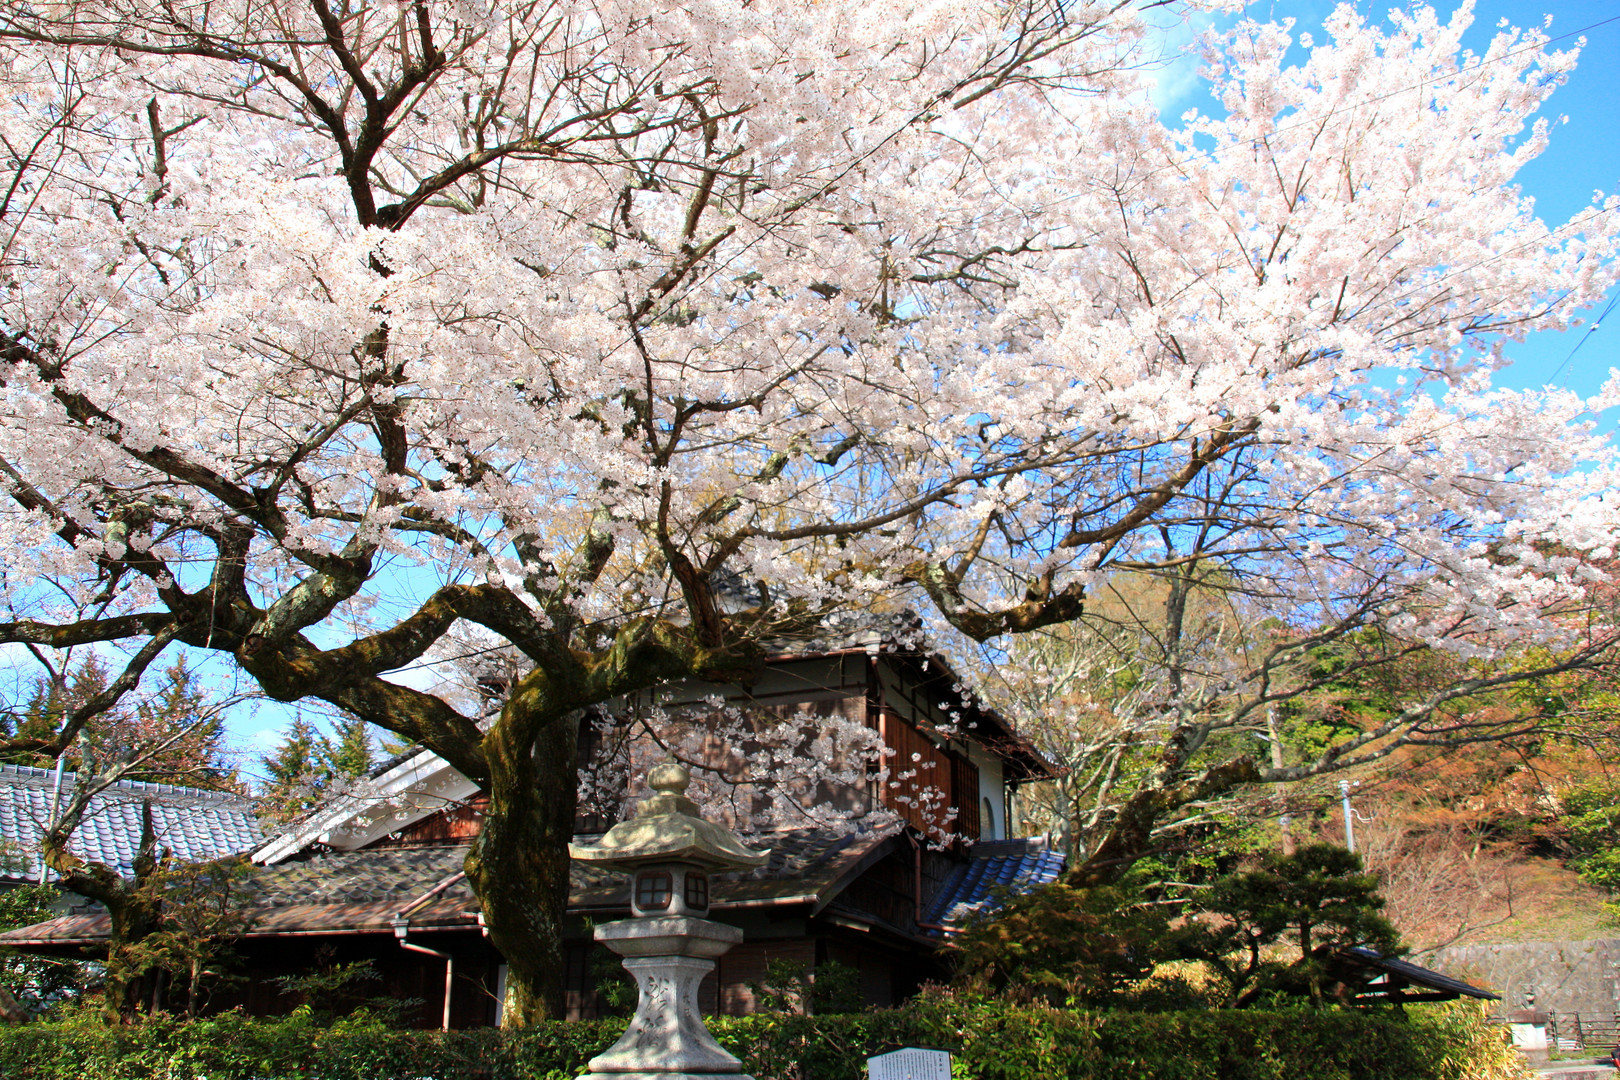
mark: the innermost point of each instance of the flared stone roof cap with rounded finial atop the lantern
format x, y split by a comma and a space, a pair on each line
668, 830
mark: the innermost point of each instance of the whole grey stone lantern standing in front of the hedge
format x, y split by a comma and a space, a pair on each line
668, 946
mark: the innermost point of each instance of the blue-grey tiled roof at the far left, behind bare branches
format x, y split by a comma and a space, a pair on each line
192, 823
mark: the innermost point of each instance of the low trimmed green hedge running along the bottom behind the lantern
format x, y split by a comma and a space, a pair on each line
987, 1042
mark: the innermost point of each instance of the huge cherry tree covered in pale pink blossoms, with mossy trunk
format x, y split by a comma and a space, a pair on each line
330, 326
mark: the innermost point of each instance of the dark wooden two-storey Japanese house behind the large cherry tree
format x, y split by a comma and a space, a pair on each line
378, 875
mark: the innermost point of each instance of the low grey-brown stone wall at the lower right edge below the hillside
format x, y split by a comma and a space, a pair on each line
1564, 976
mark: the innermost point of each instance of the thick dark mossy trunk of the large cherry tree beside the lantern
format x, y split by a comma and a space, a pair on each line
519, 865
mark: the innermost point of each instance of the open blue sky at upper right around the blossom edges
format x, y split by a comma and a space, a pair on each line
1584, 156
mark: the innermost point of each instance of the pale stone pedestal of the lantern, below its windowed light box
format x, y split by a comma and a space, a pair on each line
667, 1039
